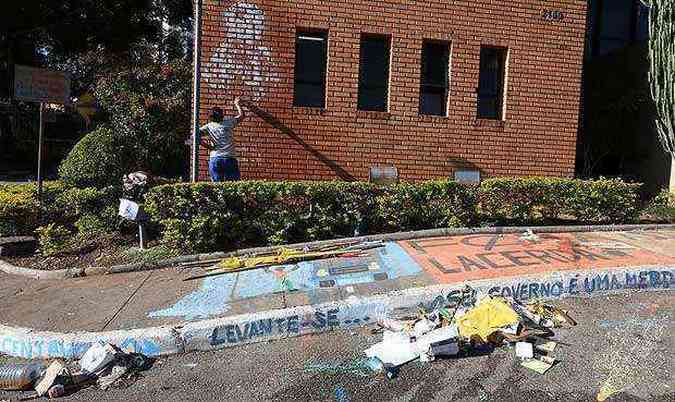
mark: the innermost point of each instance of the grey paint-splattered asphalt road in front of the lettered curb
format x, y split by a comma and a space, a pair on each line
622, 342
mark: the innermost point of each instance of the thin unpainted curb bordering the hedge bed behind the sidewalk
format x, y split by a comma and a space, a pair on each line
400, 236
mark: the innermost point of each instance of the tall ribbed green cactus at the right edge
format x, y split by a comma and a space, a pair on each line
662, 68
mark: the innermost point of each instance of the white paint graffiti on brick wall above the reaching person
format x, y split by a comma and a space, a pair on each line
242, 64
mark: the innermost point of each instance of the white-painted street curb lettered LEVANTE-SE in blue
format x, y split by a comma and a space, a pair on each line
346, 314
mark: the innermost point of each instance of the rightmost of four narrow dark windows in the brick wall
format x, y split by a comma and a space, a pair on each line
491, 83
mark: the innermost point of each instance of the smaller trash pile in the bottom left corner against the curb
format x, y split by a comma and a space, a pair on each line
103, 364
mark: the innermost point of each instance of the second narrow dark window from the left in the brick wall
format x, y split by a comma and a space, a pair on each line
374, 72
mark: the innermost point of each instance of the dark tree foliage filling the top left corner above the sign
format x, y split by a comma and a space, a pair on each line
70, 34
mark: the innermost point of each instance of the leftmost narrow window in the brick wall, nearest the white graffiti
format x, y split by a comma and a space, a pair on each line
311, 53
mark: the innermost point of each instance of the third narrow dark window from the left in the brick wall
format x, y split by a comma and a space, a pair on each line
434, 78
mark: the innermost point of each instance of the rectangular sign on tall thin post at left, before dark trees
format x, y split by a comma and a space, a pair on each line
41, 86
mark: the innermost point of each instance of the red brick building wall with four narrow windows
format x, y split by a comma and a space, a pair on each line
248, 49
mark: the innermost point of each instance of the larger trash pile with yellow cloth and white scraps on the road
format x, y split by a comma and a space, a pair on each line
454, 332
